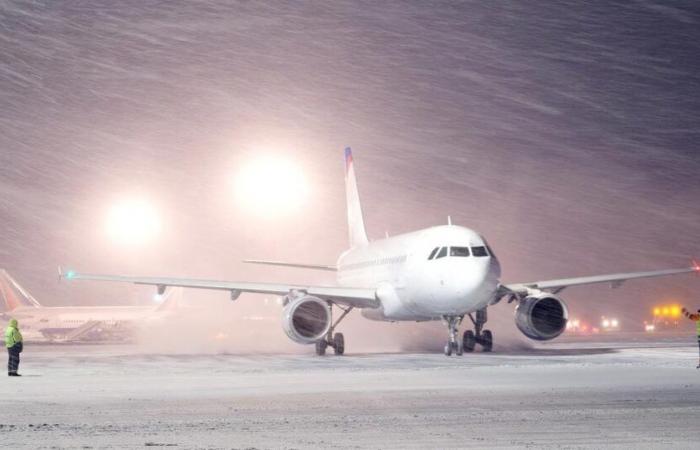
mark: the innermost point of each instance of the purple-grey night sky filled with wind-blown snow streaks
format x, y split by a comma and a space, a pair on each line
566, 133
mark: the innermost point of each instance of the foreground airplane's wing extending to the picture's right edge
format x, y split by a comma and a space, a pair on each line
616, 280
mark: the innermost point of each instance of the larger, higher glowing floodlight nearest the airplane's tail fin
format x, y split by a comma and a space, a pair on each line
270, 187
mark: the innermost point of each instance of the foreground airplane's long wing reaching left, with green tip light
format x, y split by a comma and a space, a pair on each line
355, 297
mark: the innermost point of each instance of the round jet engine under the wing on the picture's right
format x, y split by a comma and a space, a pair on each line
541, 316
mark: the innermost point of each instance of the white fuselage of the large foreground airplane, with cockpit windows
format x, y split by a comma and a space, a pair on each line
415, 287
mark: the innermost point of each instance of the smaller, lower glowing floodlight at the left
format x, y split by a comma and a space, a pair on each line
132, 222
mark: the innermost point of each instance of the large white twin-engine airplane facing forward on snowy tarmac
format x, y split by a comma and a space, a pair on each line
446, 273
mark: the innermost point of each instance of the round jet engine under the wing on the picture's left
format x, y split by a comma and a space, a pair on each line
306, 319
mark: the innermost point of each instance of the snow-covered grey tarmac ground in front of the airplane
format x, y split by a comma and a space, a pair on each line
566, 395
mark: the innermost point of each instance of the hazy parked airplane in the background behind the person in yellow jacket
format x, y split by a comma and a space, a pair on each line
75, 323
